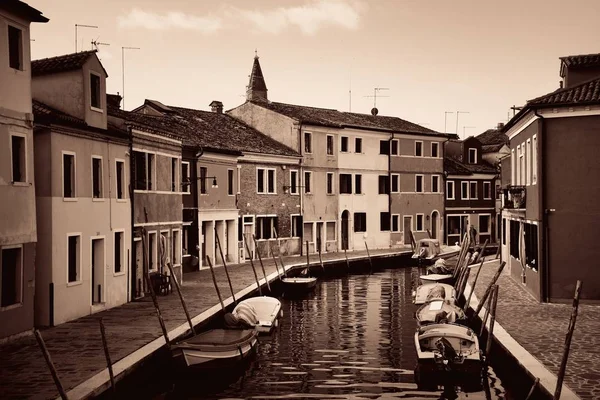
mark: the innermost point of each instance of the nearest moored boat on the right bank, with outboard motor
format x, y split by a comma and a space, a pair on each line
448, 353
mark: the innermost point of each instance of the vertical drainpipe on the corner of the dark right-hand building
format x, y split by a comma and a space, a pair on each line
545, 212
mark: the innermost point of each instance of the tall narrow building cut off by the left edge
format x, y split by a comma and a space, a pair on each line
18, 228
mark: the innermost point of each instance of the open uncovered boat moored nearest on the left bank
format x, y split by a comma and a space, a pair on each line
216, 349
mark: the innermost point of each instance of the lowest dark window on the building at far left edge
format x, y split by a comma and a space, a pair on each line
11, 276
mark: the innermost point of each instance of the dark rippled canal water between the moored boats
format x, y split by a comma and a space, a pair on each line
352, 338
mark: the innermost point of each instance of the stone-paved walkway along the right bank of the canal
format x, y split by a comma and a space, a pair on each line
541, 328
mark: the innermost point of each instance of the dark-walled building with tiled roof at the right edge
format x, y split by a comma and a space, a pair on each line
551, 214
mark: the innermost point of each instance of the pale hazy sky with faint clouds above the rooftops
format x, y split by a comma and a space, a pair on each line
476, 56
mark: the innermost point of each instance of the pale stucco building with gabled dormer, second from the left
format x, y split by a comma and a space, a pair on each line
83, 205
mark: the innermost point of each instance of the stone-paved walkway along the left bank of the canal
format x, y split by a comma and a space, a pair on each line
76, 347
